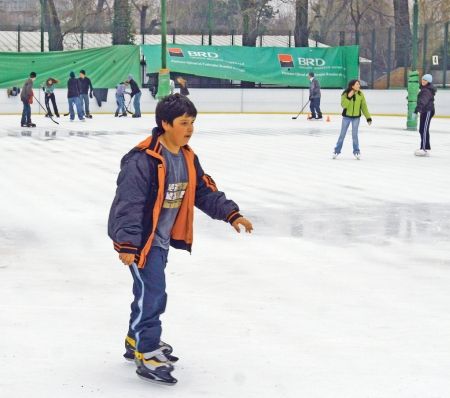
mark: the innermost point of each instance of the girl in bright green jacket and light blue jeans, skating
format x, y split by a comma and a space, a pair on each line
354, 103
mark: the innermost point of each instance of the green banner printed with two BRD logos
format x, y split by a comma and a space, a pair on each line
333, 66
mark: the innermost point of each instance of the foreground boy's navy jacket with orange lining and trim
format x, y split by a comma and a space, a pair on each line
140, 195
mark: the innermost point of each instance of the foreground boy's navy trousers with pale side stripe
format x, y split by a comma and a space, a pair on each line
150, 298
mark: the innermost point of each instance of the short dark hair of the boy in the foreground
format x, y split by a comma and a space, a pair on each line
173, 106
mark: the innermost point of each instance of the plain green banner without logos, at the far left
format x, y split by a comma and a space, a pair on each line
106, 67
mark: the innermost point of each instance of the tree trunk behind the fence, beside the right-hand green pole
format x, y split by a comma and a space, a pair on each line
402, 33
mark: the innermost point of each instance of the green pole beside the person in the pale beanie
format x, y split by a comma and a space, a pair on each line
413, 76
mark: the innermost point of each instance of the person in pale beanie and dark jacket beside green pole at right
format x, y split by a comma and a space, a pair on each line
425, 106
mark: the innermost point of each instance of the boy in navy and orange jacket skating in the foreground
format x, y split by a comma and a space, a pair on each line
160, 181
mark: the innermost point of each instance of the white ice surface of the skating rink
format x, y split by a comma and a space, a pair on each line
341, 292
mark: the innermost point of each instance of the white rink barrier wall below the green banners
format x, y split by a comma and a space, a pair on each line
380, 102
